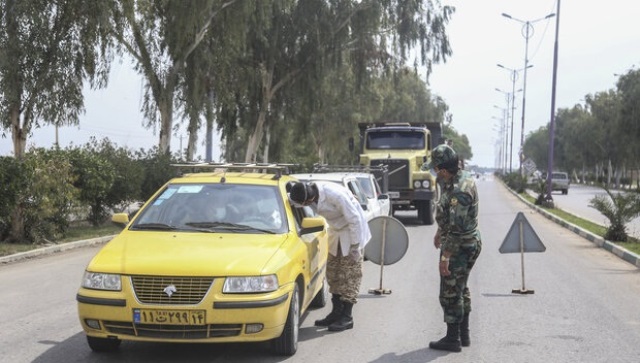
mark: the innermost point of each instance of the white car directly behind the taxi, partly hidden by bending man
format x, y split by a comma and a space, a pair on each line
362, 187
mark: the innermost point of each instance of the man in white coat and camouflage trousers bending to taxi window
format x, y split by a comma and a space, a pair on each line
348, 234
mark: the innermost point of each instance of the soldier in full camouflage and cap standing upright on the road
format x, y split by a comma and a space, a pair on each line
458, 239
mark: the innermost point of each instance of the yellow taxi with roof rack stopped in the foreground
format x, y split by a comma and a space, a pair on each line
217, 255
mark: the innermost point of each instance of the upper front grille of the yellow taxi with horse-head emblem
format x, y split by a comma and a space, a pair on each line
183, 290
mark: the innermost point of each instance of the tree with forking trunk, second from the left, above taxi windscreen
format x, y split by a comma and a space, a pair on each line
160, 36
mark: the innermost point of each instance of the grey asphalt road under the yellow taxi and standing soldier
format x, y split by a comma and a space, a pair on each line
585, 306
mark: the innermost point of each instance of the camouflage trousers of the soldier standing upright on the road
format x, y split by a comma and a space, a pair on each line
455, 298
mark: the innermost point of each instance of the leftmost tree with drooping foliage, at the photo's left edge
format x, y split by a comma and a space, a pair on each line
47, 50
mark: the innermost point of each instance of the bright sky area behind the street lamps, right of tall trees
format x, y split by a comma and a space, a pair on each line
596, 40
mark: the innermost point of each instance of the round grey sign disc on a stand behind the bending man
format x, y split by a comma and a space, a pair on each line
392, 233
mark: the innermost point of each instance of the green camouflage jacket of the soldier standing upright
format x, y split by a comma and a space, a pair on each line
457, 212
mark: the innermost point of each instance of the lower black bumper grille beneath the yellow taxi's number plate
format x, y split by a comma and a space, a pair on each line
173, 331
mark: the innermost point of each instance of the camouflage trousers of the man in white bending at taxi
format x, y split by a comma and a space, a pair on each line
344, 275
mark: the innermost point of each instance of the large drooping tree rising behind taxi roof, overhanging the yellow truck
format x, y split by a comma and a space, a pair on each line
292, 45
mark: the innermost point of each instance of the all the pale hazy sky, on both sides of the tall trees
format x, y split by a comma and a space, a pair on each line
596, 41
